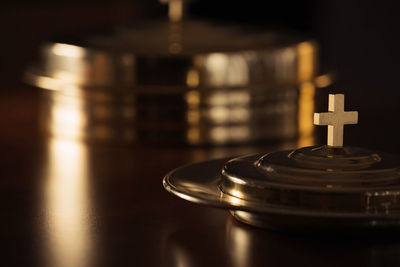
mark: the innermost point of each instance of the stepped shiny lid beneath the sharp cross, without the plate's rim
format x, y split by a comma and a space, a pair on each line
317, 179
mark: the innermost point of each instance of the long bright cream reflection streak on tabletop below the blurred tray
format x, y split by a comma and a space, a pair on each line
67, 205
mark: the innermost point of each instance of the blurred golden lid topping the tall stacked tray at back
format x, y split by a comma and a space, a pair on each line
182, 54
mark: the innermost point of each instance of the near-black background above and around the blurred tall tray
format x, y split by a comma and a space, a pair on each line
359, 44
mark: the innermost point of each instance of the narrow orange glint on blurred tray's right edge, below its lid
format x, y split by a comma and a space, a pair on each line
305, 115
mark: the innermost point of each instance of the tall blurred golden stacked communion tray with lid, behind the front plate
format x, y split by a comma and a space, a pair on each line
187, 82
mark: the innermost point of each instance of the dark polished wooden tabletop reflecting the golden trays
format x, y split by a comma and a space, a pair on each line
66, 203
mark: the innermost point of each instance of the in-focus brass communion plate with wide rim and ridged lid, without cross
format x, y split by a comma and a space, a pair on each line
310, 187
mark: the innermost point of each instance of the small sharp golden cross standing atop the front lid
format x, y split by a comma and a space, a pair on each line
336, 118
